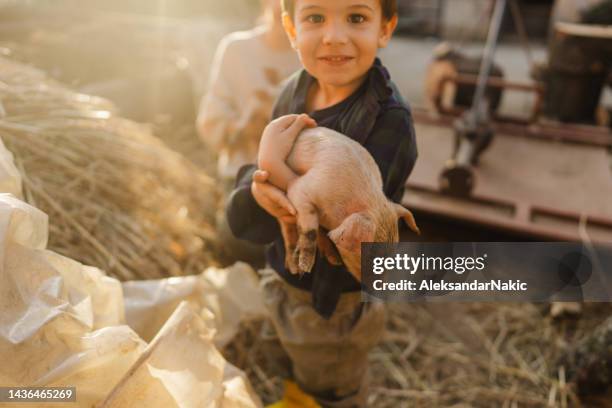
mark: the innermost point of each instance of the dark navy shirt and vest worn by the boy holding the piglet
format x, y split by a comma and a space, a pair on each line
375, 116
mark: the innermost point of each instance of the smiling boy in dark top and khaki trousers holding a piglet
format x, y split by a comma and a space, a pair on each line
319, 317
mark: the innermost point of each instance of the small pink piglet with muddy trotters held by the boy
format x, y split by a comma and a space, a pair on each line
336, 186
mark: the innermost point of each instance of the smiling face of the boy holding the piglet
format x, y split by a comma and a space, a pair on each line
337, 40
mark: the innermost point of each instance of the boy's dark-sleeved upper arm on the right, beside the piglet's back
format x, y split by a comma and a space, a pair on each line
392, 144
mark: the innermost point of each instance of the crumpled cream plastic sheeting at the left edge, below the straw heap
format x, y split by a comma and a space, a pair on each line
53, 313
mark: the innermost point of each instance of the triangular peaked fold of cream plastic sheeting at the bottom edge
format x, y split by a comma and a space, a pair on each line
181, 368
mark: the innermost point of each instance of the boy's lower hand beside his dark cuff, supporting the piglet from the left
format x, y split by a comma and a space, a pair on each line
272, 199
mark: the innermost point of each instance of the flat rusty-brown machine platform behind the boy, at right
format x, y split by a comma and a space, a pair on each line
540, 187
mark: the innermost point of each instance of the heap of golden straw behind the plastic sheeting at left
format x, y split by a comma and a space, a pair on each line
117, 197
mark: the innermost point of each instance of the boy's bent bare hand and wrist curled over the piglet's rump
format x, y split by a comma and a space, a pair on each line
276, 143
